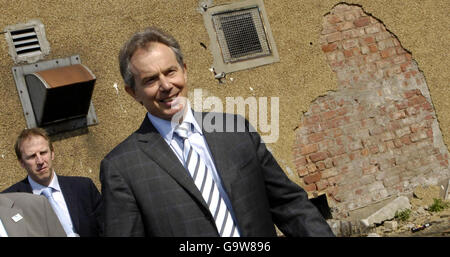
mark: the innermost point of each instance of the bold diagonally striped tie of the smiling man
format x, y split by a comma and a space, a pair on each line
205, 183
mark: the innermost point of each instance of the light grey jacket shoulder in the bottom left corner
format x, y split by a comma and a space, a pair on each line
38, 217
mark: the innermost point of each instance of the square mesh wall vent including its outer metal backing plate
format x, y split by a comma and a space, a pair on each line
240, 35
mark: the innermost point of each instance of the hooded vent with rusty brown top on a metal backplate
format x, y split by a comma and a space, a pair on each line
56, 94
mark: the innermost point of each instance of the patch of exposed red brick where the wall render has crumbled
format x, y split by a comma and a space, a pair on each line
376, 136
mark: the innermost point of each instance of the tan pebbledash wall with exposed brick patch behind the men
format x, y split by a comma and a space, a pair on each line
360, 140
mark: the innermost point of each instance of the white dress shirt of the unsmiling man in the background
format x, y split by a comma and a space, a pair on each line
57, 195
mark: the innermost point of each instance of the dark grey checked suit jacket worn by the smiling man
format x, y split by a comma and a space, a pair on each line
147, 191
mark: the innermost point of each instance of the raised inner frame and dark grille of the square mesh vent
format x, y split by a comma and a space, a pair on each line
241, 34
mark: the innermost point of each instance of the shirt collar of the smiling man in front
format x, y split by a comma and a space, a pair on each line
166, 128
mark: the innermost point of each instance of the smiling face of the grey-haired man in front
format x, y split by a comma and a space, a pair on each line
160, 81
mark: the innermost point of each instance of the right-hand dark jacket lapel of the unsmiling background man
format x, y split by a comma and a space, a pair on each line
71, 199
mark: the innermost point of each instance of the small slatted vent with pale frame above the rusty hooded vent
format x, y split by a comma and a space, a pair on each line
27, 42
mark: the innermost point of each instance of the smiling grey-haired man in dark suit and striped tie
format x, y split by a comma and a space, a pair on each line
174, 176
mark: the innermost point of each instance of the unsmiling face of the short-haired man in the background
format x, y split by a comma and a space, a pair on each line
37, 159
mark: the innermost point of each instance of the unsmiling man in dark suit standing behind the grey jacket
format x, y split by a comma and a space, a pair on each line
77, 198
